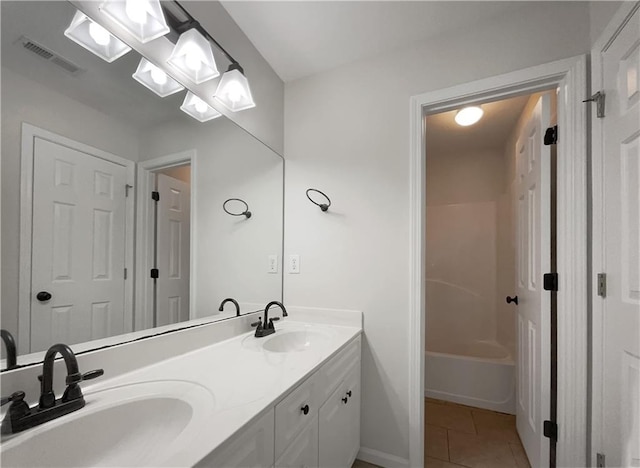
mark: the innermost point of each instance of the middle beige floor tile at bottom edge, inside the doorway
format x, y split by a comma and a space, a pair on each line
479, 452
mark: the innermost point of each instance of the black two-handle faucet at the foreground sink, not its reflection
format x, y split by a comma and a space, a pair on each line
20, 416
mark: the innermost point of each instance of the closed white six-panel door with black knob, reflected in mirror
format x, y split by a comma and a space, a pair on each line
78, 246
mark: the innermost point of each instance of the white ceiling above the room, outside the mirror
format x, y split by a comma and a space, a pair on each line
301, 38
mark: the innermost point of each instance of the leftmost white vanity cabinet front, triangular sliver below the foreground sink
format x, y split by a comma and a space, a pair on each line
252, 448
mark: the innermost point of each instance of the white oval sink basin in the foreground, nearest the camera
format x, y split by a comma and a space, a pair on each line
141, 424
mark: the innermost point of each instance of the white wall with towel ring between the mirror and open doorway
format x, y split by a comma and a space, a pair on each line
347, 132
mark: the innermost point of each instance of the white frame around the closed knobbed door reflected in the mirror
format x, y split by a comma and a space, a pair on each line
28, 135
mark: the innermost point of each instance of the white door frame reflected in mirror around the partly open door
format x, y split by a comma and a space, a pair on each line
144, 240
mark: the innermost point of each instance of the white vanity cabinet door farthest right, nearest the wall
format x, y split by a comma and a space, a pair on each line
339, 424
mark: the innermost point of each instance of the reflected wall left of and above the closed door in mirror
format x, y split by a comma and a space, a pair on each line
24, 100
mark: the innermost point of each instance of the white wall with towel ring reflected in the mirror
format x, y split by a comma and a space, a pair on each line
230, 252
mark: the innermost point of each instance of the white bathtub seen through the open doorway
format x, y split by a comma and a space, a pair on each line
480, 374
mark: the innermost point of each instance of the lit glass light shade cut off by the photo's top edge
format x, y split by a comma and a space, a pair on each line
144, 19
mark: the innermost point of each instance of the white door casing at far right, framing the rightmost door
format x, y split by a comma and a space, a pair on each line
598, 264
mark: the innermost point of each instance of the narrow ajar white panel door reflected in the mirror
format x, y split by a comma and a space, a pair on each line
173, 225
